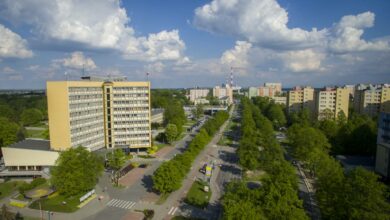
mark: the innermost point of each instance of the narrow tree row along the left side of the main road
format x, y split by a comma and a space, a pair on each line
169, 176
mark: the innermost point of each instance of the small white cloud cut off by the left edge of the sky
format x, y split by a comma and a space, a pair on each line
12, 45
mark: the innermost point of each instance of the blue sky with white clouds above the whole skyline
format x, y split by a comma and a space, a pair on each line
195, 43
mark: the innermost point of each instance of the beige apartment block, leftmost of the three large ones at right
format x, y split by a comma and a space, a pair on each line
300, 98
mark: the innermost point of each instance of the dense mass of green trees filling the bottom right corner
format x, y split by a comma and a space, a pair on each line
355, 194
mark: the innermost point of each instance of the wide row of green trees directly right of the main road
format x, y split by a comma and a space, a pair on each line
277, 196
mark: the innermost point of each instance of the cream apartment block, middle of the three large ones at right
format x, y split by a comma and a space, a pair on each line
331, 101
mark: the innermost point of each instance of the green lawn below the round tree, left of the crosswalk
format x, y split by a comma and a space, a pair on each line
56, 203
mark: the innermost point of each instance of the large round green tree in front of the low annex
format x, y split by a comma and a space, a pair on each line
77, 170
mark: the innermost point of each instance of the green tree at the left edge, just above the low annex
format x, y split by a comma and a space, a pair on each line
8, 132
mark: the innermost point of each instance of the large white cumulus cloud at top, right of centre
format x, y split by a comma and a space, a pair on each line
259, 21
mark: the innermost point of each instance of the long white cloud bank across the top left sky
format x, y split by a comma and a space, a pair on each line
94, 23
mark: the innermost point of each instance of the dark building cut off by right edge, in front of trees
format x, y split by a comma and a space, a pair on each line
382, 160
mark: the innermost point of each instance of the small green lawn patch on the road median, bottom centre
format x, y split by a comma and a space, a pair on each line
197, 196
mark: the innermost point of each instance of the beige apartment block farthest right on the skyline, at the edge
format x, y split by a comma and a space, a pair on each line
372, 99
